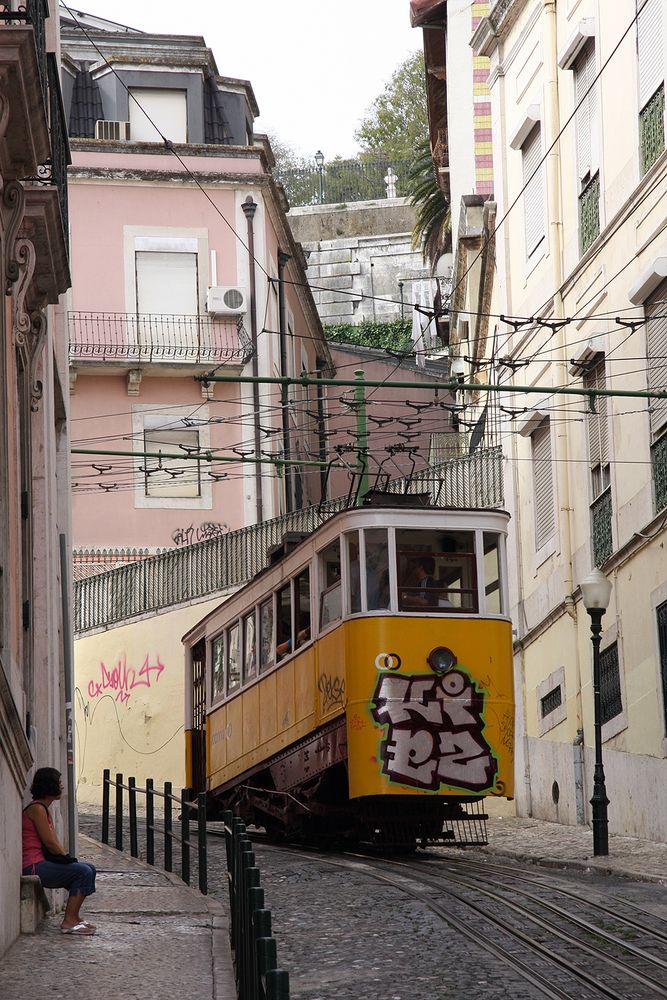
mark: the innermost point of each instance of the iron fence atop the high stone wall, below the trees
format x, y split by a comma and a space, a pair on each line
342, 181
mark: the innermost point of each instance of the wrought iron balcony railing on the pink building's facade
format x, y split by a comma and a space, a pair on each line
155, 337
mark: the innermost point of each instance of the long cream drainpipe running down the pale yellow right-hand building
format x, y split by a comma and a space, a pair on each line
562, 446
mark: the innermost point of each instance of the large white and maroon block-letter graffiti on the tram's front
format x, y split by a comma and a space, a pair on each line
435, 731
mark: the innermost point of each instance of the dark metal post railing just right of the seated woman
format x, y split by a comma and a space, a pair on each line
187, 807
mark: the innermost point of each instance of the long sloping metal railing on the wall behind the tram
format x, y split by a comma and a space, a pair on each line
194, 571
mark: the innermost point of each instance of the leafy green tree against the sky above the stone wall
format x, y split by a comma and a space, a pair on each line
397, 120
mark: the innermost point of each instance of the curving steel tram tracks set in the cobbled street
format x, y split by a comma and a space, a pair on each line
532, 960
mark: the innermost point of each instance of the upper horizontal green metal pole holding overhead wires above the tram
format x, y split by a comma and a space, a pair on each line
450, 384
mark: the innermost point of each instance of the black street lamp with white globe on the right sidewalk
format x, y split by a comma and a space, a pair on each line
596, 591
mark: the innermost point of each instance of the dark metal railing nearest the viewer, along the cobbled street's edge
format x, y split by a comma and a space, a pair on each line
253, 947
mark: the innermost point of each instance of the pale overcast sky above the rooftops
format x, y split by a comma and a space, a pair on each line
315, 66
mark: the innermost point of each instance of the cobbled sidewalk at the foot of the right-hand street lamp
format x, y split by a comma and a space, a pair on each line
572, 847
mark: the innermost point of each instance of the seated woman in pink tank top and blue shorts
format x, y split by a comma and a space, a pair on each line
38, 833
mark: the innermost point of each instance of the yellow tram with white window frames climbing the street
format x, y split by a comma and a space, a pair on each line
360, 687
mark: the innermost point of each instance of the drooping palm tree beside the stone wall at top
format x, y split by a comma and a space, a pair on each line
433, 219
